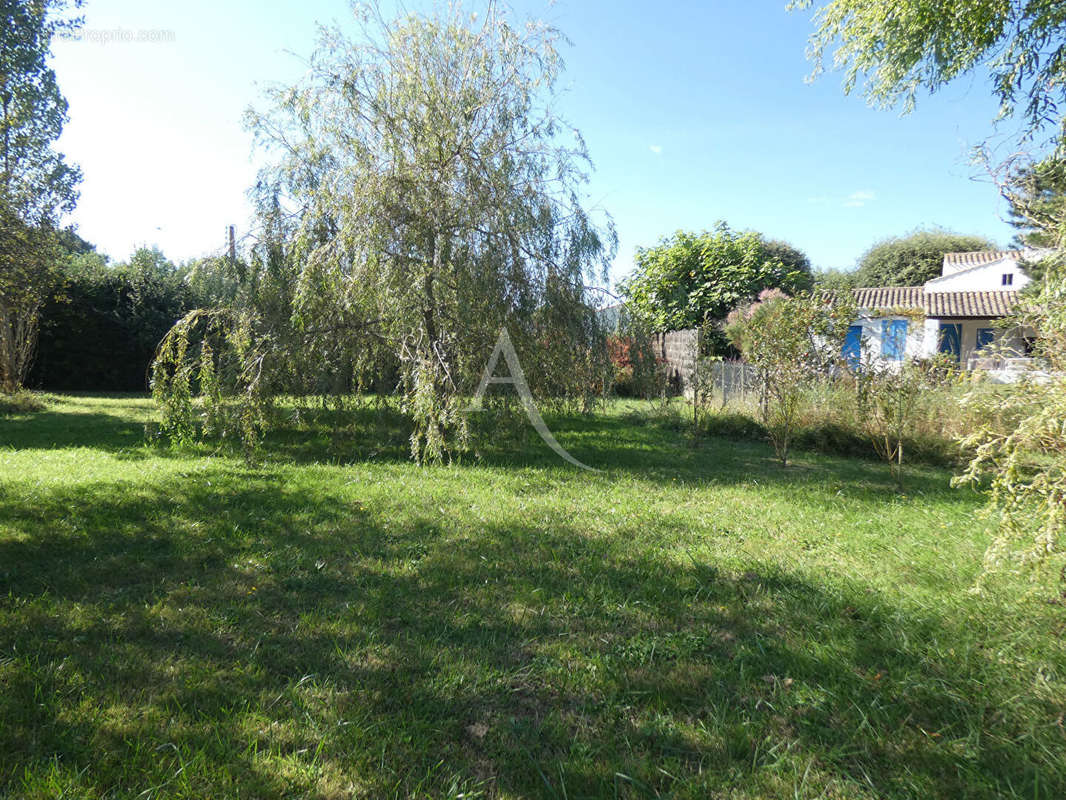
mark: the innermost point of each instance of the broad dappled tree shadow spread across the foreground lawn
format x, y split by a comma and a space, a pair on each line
232, 634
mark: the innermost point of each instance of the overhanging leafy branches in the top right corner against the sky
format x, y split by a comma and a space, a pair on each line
897, 51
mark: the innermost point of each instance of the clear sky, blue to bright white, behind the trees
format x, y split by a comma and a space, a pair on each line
693, 113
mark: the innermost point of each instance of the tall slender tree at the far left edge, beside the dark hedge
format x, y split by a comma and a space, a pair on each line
37, 184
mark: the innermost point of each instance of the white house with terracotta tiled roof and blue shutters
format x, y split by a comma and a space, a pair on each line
958, 313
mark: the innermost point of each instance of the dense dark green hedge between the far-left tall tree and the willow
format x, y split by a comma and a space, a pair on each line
101, 331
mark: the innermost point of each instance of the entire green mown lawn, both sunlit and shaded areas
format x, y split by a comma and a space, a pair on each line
692, 622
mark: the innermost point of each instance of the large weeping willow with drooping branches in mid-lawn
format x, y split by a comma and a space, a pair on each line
423, 195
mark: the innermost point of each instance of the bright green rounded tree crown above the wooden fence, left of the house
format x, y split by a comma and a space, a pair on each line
690, 279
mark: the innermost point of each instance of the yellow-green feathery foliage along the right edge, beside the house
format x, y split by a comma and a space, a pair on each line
1020, 449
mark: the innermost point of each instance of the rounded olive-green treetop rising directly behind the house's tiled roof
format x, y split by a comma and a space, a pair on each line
915, 259
